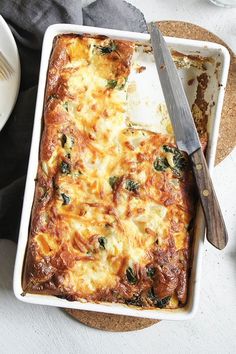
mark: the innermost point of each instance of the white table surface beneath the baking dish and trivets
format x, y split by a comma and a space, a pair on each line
36, 329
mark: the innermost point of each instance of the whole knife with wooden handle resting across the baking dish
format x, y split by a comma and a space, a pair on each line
187, 137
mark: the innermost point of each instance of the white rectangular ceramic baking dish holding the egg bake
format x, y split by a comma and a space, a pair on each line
151, 93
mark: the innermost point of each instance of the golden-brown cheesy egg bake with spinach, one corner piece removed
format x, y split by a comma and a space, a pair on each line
104, 212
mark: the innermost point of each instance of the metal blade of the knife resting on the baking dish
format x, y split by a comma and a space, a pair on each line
177, 104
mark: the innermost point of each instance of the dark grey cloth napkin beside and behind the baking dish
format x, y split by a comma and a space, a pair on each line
28, 20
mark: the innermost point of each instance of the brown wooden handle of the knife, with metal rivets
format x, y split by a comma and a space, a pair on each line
216, 230
